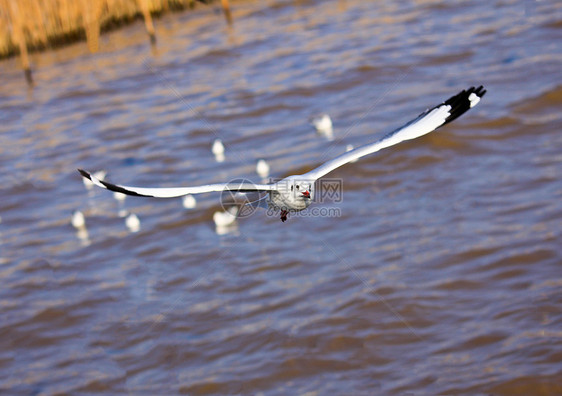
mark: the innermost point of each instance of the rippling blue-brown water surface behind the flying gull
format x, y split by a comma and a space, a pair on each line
440, 275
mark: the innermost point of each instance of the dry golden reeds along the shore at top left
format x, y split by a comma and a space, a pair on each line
38, 25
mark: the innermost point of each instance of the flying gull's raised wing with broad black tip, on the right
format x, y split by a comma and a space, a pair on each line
426, 122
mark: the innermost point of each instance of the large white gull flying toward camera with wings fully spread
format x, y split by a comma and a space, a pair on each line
295, 193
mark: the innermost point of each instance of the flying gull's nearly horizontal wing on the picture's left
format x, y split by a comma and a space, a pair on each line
177, 191
